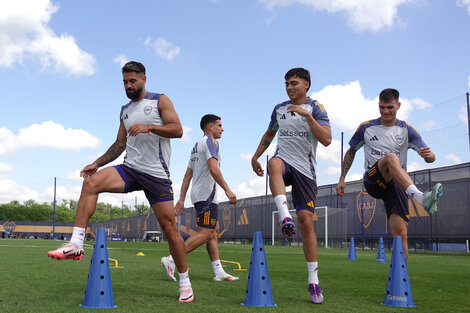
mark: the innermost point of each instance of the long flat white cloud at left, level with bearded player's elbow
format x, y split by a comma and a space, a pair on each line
46, 135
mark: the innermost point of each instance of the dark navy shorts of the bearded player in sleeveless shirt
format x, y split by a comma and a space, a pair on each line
155, 189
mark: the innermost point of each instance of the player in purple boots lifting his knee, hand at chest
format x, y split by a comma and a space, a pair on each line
301, 123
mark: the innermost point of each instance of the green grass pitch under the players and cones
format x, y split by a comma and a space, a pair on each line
30, 282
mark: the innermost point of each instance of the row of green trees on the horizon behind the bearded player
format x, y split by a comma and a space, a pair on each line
30, 210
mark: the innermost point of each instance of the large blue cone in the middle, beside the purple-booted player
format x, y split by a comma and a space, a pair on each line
258, 286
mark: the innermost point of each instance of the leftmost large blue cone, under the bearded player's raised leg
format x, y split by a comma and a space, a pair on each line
99, 292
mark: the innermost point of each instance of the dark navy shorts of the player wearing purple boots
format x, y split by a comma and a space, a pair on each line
304, 189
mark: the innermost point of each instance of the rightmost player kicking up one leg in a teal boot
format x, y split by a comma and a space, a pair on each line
386, 141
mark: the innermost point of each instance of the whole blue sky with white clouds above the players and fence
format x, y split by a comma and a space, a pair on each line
62, 89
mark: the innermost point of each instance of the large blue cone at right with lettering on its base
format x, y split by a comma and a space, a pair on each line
398, 292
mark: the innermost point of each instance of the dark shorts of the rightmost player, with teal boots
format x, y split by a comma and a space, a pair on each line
394, 197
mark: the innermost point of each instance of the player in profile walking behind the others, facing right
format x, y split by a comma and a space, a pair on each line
204, 171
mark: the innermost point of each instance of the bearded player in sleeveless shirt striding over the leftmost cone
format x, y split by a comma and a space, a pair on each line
147, 123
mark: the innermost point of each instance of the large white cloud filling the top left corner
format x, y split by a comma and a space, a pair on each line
25, 35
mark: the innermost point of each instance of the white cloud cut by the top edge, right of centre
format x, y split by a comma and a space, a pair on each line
362, 15
